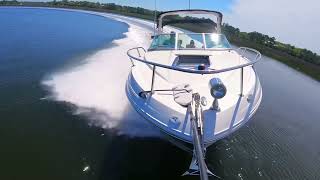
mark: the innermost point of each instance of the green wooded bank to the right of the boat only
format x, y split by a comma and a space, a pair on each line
301, 59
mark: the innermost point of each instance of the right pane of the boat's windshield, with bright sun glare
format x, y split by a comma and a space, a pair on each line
216, 41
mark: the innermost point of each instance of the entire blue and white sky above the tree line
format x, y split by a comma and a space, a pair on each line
290, 21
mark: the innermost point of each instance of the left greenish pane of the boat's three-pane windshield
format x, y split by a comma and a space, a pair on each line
164, 41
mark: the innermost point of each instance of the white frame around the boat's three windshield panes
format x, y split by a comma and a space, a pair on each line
204, 41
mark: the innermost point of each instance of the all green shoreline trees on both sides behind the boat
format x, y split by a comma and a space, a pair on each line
298, 58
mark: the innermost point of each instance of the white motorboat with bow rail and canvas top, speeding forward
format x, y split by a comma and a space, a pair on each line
195, 87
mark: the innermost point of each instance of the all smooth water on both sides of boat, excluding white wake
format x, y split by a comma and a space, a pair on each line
42, 139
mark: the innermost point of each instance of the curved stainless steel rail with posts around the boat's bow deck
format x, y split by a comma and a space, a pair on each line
242, 50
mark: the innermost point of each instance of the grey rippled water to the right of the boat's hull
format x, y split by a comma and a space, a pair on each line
281, 140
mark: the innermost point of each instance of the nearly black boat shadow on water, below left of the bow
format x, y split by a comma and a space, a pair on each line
132, 157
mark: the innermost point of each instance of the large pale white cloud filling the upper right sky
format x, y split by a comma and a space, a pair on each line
291, 21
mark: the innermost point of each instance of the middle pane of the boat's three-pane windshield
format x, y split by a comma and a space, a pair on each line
190, 41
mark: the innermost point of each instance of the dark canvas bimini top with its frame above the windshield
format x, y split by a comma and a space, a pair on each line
161, 16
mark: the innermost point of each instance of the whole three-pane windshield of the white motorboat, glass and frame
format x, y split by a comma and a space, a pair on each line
190, 41
